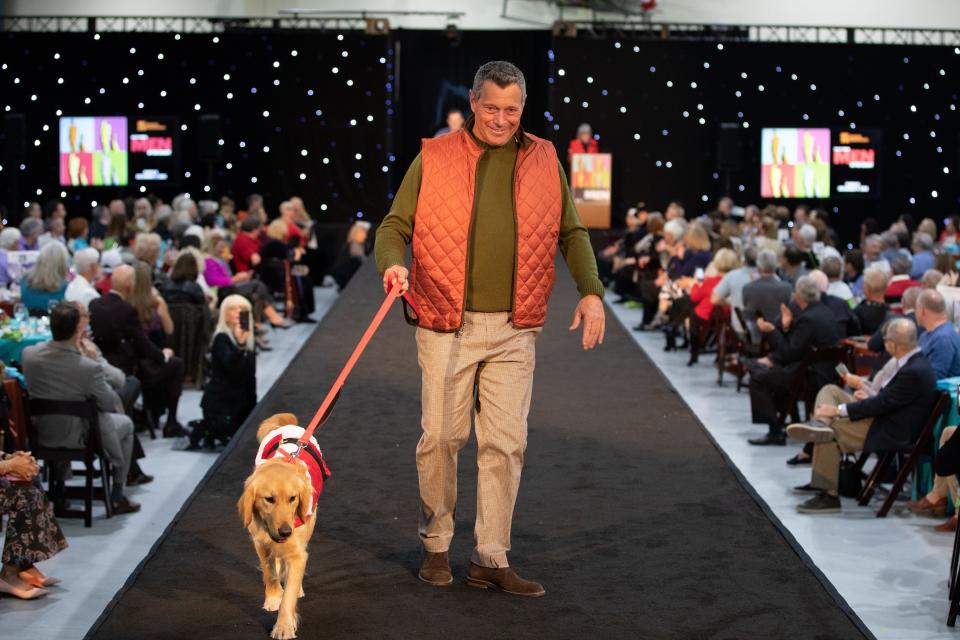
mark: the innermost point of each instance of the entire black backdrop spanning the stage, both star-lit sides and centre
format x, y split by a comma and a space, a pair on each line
406, 80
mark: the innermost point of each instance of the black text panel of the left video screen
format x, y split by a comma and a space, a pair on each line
155, 149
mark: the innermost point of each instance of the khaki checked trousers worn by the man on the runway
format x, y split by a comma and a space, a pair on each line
500, 359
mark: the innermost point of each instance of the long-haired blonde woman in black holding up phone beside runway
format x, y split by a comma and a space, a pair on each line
231, 393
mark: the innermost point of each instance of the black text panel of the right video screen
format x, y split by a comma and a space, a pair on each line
854, 158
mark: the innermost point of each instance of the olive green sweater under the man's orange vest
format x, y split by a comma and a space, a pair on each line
493, 240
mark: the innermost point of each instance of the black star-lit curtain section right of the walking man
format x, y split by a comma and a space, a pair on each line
658, 106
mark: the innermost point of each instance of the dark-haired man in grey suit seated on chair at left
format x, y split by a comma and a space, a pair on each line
56, 370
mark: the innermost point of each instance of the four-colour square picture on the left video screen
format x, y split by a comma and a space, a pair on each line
93, 151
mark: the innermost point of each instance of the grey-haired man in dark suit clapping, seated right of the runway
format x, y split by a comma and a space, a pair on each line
772, 376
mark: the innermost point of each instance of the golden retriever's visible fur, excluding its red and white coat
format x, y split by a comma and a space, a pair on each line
275, 495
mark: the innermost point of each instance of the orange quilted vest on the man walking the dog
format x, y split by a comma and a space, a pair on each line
444, 212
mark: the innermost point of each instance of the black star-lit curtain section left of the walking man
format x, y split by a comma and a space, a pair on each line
300, 113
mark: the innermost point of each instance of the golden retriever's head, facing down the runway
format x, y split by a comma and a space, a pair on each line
274, 495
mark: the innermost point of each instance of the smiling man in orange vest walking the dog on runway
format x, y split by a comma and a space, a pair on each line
485, 209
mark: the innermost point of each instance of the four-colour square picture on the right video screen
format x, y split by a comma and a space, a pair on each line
795, 163
